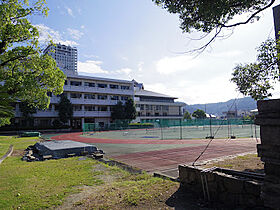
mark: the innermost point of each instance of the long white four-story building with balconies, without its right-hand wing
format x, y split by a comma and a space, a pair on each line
91, 97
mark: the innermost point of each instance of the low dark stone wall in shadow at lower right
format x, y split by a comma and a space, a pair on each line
226, 189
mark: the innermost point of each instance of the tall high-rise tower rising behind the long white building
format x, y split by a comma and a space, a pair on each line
65, 56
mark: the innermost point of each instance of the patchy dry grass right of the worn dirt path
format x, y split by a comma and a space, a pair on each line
129, 191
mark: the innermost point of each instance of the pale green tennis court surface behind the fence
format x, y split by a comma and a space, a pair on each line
180, 132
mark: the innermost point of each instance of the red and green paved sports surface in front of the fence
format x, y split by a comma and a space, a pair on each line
164, 155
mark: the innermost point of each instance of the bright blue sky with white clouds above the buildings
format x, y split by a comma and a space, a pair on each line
136, 39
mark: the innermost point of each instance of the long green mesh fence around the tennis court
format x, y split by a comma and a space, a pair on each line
175, 129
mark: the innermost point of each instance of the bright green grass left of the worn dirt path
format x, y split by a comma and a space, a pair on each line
36, 185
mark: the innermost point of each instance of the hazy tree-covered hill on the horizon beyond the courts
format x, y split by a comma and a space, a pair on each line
217, 109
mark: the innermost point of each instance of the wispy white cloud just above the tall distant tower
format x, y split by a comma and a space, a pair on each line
46, 34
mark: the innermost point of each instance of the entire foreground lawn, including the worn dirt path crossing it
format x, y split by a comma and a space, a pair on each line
46, 184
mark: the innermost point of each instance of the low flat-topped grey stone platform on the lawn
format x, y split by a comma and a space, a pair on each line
60, 149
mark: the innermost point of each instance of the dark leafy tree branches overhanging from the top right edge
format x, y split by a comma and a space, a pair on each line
213, 16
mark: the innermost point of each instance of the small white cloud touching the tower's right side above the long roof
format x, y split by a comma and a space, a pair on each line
91, 67
